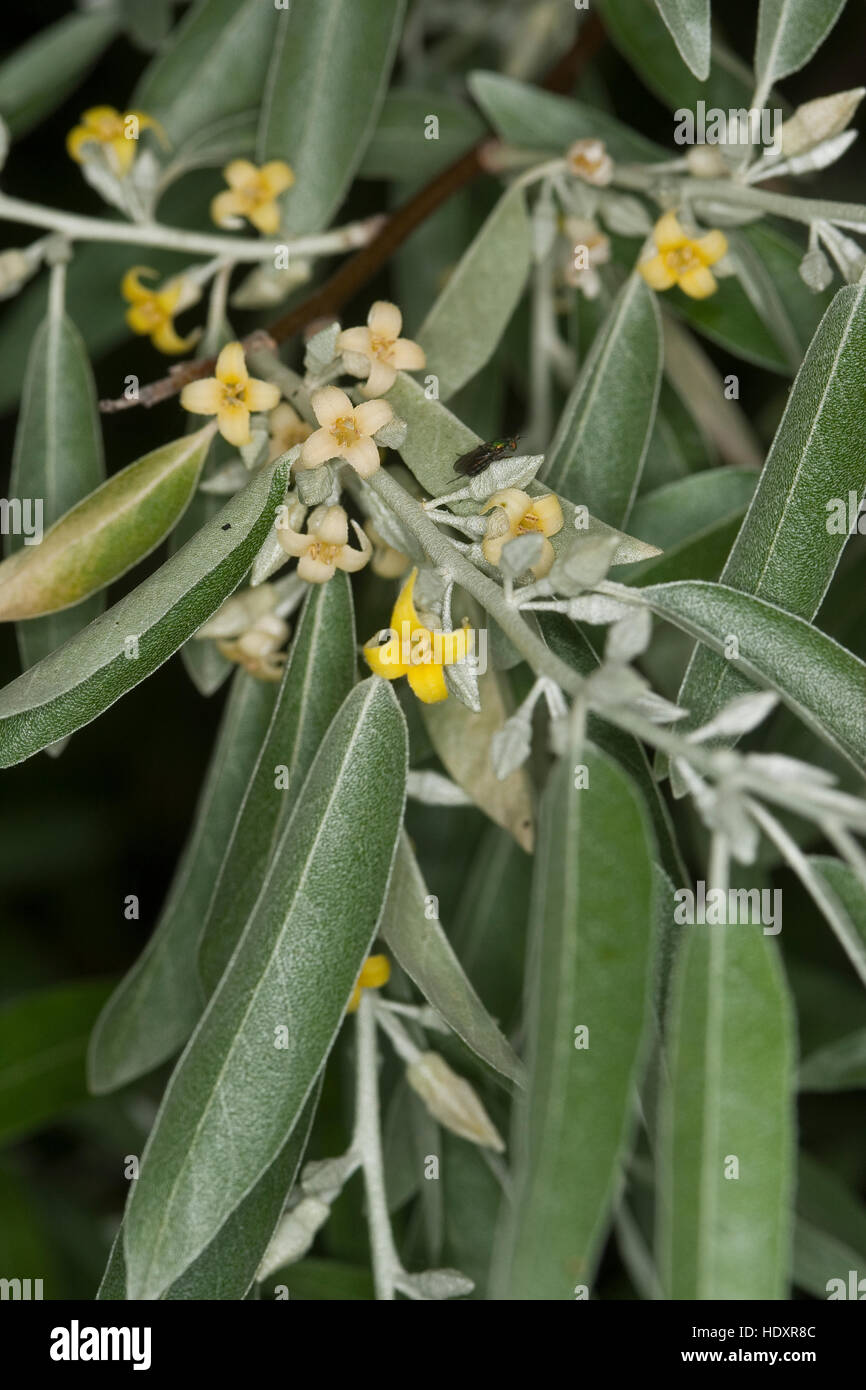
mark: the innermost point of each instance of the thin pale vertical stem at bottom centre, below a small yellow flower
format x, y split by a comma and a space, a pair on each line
368, 1142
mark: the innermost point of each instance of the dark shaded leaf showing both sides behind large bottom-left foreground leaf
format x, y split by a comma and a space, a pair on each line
227, 1268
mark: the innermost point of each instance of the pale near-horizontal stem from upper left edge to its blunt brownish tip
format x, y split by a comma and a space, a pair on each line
177, 240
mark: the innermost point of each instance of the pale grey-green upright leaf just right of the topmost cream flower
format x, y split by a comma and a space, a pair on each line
472, 313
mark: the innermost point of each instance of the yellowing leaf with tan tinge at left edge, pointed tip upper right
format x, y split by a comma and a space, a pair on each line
105, 534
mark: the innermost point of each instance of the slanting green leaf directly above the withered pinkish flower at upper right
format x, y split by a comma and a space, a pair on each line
526, 116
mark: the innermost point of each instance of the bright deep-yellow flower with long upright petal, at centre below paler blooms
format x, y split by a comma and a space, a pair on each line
409, 648
